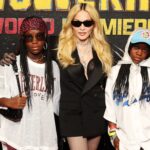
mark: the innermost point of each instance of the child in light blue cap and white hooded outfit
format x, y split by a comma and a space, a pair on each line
128, 95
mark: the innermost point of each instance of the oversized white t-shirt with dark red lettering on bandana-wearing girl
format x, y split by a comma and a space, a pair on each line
36, 130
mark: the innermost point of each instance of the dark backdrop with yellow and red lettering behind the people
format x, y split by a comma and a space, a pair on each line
118, 17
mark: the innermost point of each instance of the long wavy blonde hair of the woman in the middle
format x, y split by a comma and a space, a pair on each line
67, 40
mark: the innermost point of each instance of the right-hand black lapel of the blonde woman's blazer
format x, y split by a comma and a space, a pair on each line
95, 75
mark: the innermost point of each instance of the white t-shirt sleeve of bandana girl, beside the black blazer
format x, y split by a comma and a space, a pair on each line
57, 91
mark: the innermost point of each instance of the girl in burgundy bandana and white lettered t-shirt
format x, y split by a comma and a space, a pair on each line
39, 79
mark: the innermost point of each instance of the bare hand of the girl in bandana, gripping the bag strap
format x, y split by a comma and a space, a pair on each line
16, 102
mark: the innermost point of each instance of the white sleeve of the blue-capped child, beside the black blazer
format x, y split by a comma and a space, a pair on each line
110, 112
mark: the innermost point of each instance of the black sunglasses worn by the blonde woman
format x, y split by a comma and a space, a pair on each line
86, 23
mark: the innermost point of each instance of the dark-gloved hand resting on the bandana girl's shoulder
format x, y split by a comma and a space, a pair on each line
7, 59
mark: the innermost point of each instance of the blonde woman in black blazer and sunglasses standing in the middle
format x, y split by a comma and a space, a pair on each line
85, 59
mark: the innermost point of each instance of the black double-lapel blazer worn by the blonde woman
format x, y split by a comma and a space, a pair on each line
82, 98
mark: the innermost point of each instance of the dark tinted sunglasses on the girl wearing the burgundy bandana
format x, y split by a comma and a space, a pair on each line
39, 37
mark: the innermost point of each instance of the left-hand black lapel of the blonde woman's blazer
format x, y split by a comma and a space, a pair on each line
76, 71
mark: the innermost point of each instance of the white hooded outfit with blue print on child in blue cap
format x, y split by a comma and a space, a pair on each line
132, 115
